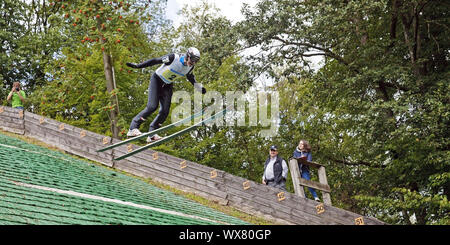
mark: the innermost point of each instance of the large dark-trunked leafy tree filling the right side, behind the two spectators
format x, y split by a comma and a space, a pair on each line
376, 110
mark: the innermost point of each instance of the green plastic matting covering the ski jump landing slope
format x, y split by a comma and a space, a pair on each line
41, 186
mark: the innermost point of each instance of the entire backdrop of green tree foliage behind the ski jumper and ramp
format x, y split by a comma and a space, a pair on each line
375, 108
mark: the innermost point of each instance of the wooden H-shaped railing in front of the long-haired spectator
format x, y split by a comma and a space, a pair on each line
299, 182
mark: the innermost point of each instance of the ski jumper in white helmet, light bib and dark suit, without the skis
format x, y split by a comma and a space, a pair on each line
160, 89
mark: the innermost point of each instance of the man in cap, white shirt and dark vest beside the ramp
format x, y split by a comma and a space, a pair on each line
275, 170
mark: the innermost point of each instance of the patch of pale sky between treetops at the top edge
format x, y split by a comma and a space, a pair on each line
231, 9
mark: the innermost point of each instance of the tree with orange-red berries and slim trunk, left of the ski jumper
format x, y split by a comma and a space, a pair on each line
95, 33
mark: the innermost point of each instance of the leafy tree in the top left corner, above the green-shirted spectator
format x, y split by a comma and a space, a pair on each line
28, 43
